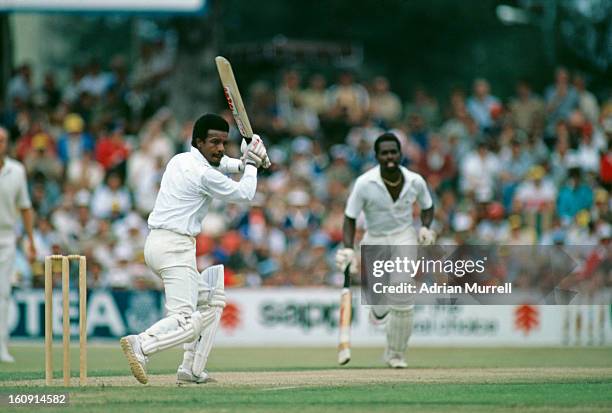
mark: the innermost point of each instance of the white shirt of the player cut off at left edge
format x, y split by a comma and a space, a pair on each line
13, 196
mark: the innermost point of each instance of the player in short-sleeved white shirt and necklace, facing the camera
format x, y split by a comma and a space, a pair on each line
386, 194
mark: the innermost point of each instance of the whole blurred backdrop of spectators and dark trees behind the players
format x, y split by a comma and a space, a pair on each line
515, 149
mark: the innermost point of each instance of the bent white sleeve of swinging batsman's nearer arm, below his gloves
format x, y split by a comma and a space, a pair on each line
221, 187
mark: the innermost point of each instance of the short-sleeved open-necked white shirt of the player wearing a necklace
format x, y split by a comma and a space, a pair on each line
383, 216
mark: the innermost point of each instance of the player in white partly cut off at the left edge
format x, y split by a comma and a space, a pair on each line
14, 200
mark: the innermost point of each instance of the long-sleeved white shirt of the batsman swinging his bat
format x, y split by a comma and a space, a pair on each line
188, 186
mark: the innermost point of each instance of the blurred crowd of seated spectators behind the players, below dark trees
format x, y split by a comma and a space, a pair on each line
533, 169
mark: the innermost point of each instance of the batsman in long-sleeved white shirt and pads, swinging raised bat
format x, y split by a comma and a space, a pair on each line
194, 301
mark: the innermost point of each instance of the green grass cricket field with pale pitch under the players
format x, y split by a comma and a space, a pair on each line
308, 380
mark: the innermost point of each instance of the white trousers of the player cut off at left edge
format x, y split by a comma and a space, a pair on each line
7, 268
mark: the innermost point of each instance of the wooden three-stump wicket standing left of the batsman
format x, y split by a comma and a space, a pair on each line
65, 259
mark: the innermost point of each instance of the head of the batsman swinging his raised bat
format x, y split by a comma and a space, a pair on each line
209, 136
